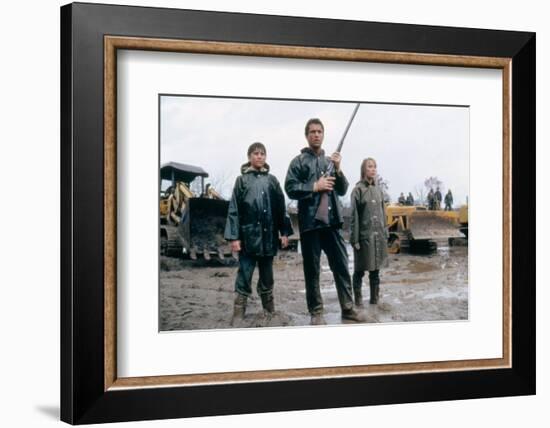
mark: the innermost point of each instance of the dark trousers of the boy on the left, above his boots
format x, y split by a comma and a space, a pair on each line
247, 263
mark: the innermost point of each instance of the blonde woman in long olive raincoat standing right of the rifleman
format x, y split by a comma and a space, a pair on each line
368, 234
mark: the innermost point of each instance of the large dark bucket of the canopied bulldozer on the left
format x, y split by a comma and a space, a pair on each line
202, 227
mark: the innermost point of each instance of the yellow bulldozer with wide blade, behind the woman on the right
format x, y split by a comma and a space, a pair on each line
417, 229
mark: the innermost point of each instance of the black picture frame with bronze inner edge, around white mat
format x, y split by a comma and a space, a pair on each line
91, 392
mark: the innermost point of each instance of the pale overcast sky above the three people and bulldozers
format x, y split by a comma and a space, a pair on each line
409, 142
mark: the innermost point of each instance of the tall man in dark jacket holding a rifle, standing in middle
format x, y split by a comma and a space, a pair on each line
306, 182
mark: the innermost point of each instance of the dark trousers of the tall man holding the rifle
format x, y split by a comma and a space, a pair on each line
332, 243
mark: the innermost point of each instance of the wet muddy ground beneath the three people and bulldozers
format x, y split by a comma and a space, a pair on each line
199, 294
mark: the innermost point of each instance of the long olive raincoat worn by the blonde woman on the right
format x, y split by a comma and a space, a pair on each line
368, 226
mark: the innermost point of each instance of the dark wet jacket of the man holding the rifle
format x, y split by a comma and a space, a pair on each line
304, 170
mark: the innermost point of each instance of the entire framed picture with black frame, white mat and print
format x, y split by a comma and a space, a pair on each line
266, 213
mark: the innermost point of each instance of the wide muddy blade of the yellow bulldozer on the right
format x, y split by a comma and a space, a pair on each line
433, 225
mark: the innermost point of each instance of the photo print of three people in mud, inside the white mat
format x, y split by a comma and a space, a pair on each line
292, 213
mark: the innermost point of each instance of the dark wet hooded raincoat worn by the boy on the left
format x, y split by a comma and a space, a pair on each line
257, 212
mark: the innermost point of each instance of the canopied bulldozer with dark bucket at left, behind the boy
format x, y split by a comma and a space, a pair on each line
191, 224
